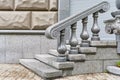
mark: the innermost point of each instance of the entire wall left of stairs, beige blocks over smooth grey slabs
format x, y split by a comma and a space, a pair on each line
22, 26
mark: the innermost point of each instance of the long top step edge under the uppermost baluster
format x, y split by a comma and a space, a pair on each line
103, 43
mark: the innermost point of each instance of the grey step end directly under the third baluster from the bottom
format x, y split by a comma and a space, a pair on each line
88, 50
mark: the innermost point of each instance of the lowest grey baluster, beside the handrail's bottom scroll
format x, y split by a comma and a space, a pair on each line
62, 47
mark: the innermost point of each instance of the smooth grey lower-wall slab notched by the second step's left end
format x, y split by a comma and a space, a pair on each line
31, 45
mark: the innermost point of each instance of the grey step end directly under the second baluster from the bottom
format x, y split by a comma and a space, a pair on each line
76, 57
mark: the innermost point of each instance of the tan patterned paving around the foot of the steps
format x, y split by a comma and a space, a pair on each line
18, 72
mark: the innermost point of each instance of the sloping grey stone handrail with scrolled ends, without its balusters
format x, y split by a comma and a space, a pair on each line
54, 30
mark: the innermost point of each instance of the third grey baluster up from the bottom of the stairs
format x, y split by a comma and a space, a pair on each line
84, 35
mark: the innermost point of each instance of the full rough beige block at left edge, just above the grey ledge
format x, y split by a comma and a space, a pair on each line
14, 20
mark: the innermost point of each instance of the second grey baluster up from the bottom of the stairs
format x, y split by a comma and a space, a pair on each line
73, 40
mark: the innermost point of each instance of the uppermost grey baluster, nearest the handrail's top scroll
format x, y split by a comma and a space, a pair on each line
95, 29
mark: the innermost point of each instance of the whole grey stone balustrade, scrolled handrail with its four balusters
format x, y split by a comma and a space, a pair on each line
58, 30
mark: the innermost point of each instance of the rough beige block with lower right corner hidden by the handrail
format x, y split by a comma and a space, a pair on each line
42, 20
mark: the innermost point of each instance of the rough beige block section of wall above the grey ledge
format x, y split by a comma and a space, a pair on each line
27, 14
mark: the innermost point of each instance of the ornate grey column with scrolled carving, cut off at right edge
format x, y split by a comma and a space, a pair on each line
113, 25
